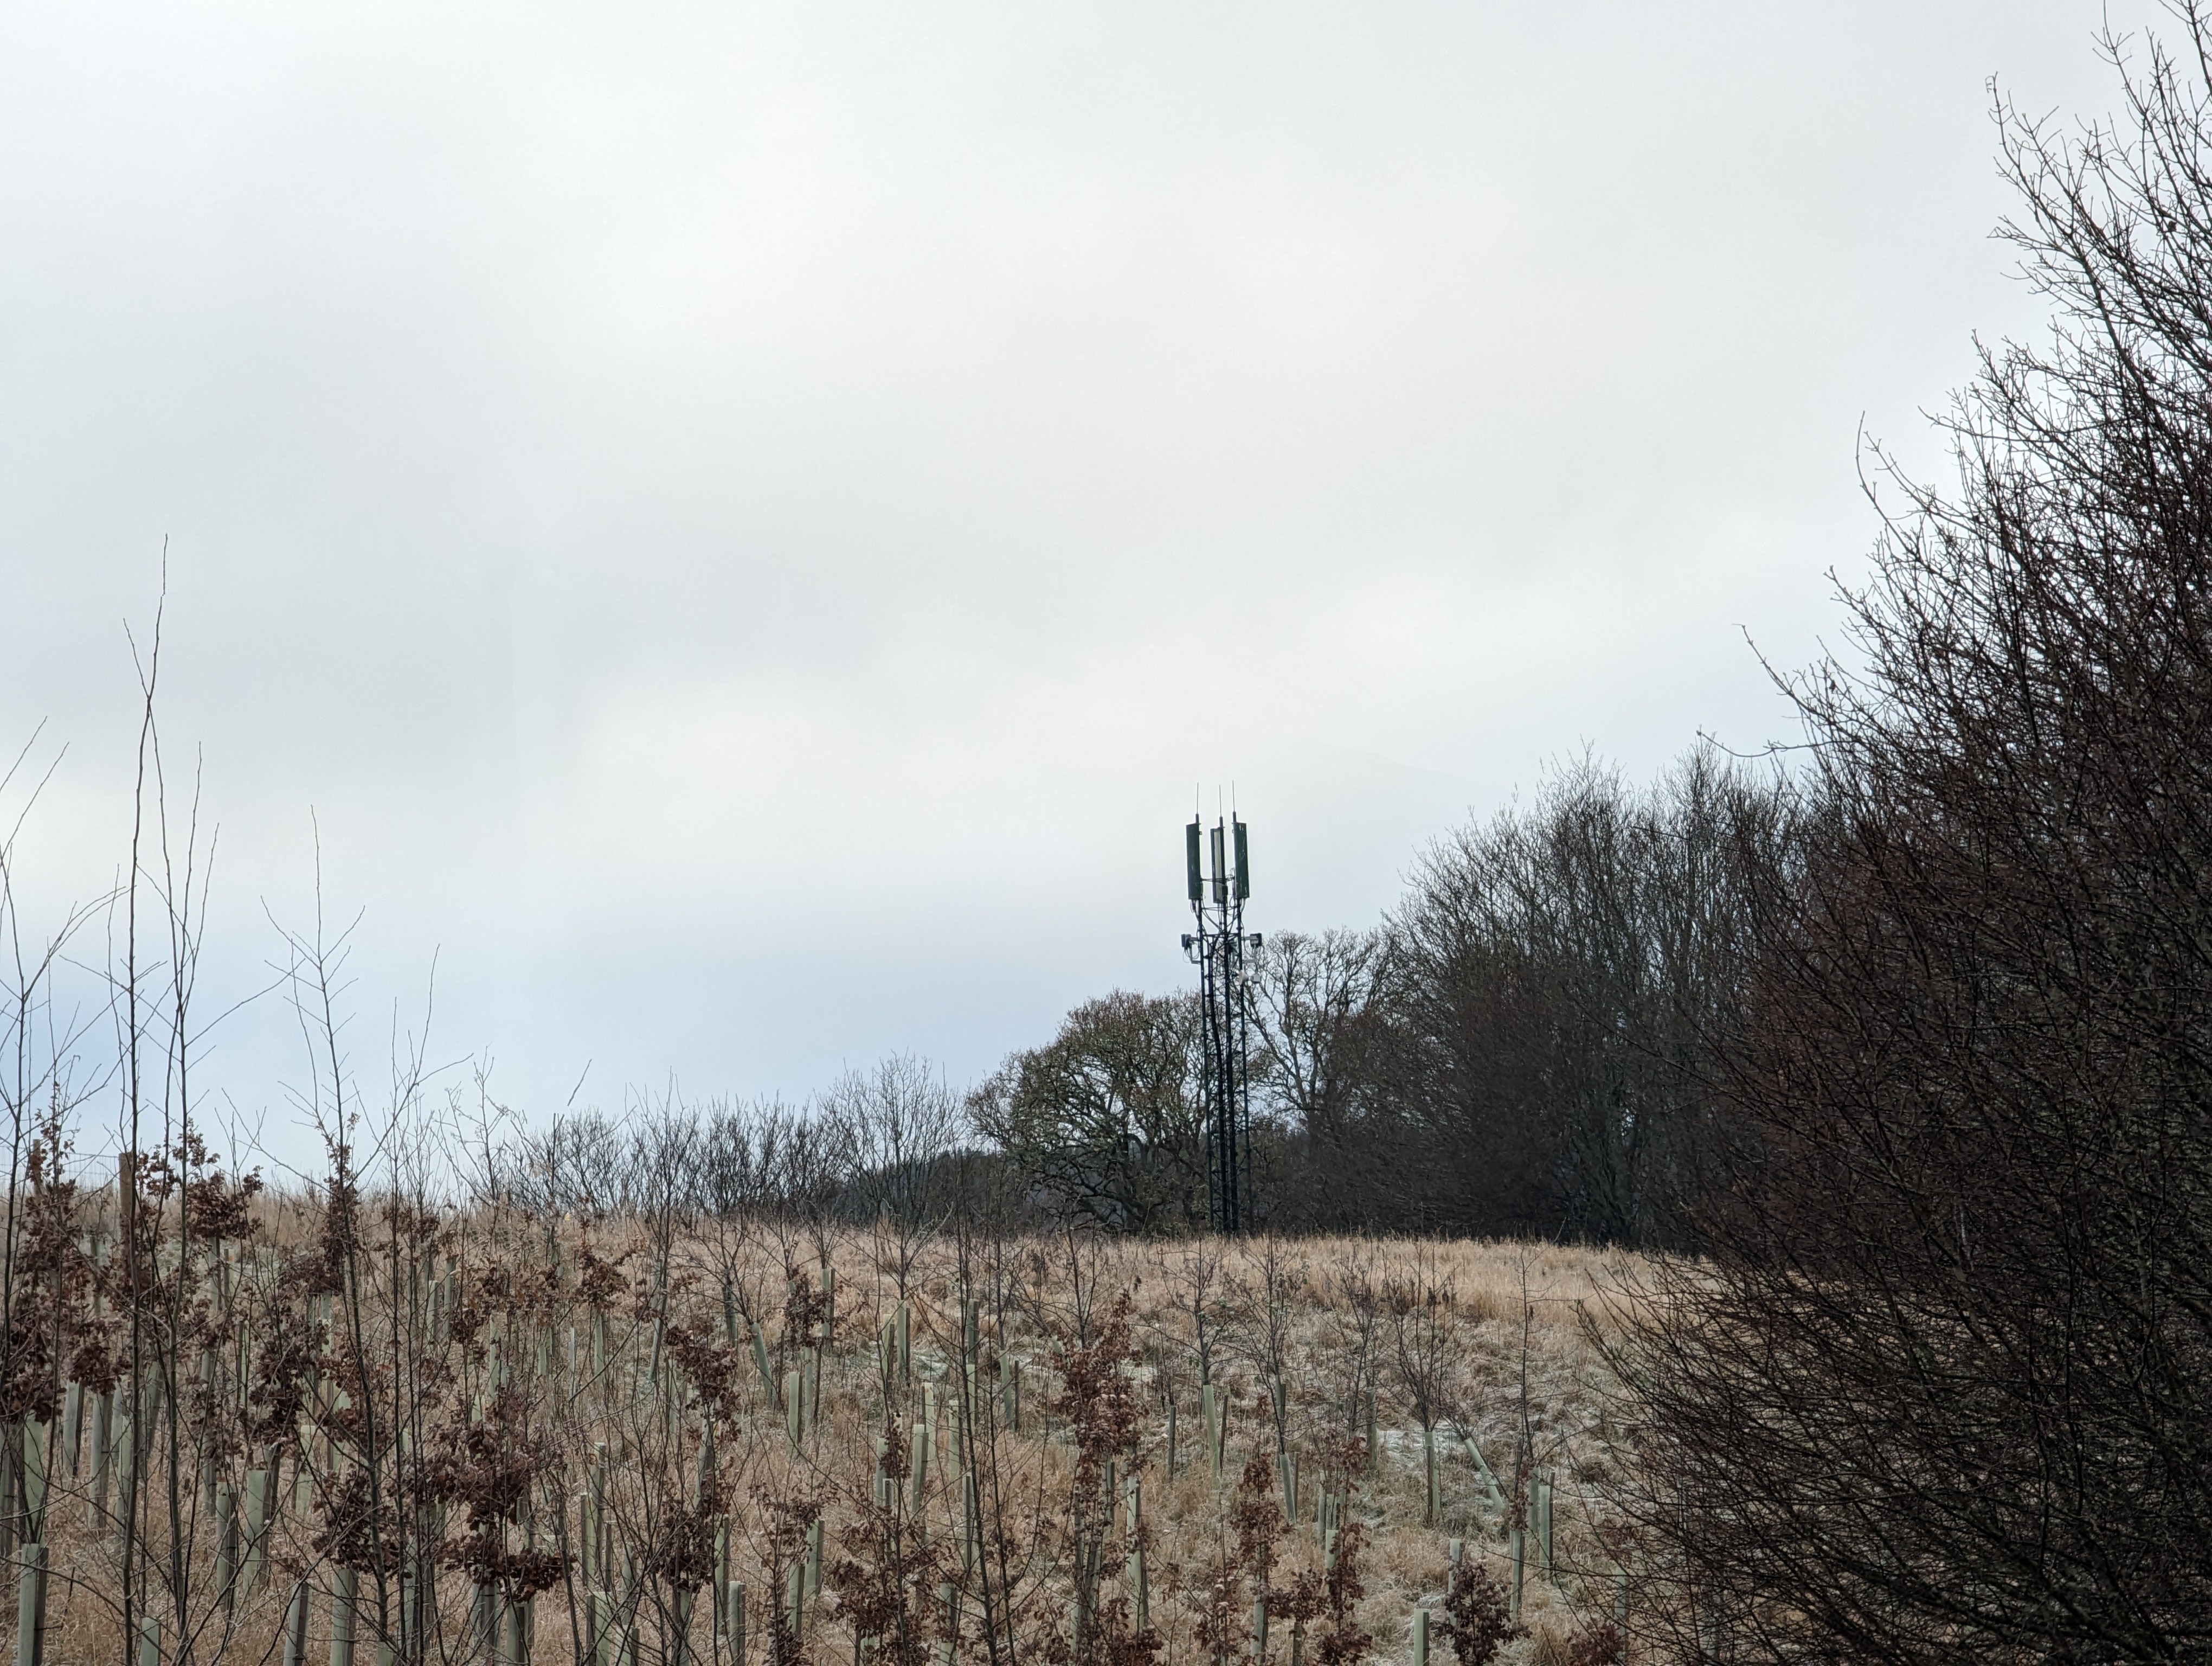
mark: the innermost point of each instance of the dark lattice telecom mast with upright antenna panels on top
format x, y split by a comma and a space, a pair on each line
1218, 948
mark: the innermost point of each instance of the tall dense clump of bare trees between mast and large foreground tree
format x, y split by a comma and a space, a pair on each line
1561, 977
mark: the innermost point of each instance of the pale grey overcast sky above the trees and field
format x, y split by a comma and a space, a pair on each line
751, 528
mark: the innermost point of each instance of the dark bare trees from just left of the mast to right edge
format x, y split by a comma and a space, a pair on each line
1912, 1043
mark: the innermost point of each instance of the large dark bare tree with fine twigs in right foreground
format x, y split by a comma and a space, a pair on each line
1943, 1391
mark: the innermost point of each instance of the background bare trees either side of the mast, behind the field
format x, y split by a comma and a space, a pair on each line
1523, 1048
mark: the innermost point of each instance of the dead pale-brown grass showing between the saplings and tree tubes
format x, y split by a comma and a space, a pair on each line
1521, 1377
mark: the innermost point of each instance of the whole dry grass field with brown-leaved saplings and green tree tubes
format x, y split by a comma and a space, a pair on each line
775, 1441
